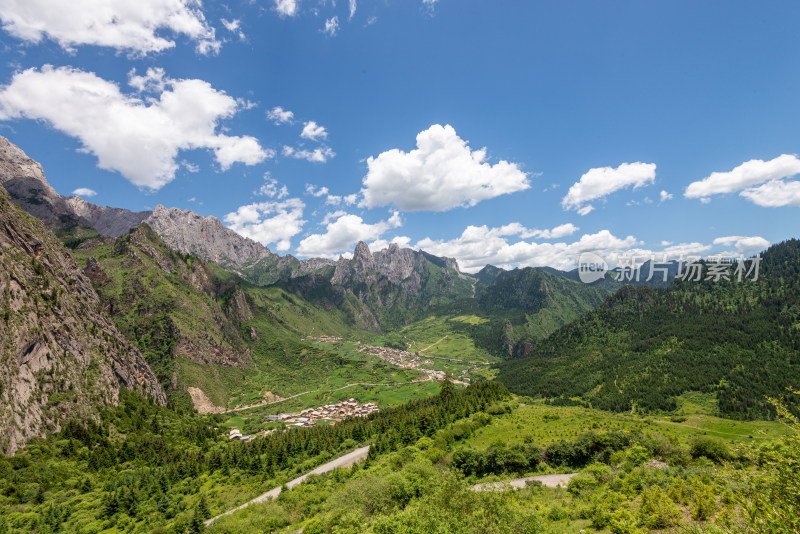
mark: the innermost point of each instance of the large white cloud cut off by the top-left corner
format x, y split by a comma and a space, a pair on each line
130, 25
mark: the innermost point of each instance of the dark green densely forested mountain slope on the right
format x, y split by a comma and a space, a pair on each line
644, 347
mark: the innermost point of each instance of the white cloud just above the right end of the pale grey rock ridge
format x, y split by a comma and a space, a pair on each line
269, 222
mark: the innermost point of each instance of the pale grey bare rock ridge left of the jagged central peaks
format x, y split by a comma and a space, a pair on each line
205, 237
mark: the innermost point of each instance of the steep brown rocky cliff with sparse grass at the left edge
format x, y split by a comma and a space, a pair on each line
61, 357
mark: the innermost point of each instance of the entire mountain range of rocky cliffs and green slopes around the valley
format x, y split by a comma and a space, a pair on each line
185, 311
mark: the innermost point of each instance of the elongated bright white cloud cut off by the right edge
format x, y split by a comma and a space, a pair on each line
746, 175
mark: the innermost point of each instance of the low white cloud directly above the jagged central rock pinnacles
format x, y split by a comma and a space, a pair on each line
342, 234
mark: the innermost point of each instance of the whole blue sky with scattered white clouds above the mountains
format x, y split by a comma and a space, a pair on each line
602, 124
